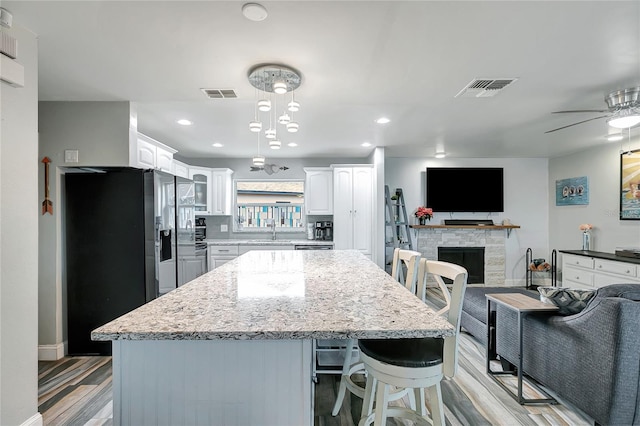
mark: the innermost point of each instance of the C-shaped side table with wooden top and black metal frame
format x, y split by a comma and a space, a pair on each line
523, 305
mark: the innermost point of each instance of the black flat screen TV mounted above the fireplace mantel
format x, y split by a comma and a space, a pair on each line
465, 189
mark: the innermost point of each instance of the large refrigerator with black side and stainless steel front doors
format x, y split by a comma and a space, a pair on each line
125, 231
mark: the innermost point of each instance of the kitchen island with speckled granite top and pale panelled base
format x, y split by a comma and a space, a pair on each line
234, 346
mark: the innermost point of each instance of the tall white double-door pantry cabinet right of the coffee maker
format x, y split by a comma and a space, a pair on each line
353, 206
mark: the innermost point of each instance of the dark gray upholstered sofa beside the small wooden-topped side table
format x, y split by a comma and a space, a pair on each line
590, 359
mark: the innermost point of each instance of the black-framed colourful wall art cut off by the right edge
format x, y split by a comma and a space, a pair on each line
630, 185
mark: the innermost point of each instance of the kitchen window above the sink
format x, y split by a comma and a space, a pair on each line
259, 202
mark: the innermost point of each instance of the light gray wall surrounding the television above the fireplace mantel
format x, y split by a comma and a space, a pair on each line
526, 200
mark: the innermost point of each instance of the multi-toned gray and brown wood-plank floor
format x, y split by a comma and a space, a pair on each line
77, 391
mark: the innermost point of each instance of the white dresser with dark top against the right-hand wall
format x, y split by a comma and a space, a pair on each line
591, 269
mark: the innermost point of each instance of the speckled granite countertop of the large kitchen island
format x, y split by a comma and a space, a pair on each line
270, 294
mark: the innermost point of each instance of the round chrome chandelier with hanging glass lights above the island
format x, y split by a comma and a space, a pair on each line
274, 81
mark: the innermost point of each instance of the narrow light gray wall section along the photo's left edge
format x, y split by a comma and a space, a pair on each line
19, 211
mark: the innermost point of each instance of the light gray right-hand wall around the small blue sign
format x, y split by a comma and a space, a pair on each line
601, 165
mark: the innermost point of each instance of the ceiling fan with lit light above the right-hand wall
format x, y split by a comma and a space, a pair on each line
623, 105
